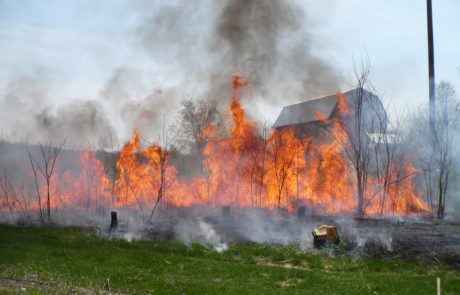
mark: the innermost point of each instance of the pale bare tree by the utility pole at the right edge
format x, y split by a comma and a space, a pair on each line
434, 143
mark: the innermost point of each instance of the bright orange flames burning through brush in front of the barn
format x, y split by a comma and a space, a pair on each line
247, 168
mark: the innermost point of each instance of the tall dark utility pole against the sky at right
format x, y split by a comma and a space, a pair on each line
431, 63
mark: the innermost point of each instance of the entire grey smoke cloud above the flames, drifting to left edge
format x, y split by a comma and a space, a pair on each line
197, 47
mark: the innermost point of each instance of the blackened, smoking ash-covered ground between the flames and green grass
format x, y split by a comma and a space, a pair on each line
416, 239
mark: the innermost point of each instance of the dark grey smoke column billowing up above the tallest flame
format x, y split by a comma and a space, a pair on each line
268, 42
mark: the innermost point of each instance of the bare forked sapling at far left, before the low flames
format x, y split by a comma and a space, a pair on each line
46, 165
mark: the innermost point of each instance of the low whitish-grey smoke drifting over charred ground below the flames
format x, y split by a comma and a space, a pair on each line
208, 227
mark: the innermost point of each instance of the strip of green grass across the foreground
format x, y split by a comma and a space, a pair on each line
57, 260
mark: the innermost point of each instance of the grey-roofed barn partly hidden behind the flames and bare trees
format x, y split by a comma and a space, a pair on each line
303, 116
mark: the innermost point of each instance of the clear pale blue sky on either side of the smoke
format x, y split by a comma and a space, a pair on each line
74, 47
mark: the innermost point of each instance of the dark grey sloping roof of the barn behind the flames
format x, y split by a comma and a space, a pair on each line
305, 112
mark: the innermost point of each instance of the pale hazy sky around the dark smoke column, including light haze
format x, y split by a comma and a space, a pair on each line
78, 50
